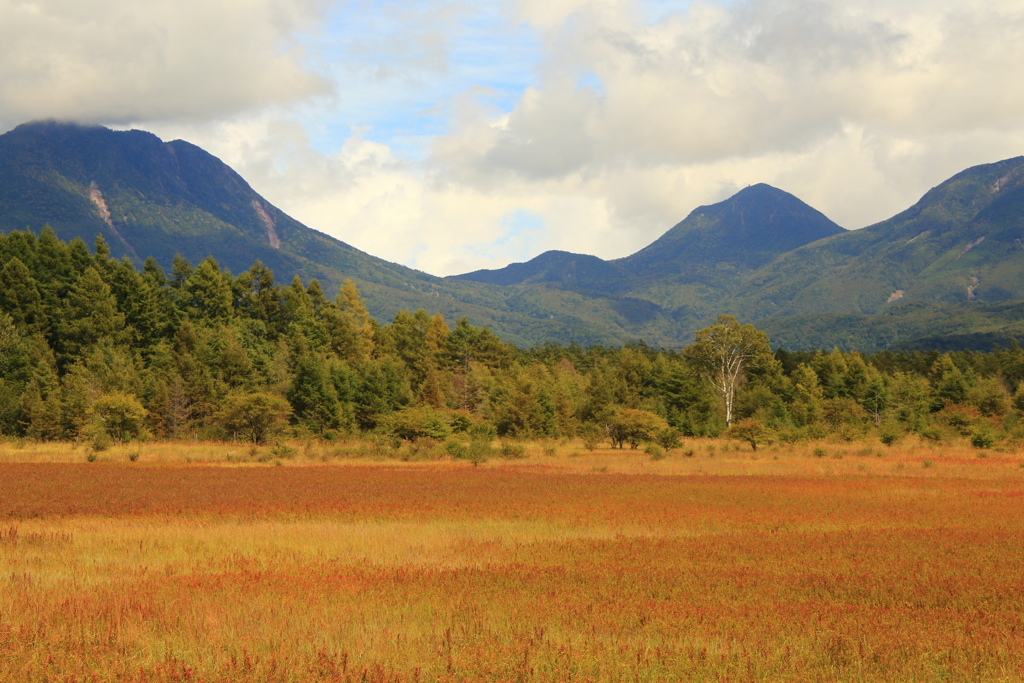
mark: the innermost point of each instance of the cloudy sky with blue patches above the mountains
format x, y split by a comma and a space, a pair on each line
463, 135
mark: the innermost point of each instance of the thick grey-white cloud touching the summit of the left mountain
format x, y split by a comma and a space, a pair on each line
122, 61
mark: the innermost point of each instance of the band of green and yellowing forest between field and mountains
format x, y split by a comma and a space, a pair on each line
94, 350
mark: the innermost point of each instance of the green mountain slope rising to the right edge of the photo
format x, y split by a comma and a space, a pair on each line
962, 242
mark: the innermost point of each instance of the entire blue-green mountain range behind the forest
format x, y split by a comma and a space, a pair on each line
948, 272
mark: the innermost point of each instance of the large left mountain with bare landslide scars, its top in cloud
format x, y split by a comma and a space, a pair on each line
150, 198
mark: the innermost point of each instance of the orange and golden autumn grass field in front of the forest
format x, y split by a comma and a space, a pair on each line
823, 563
